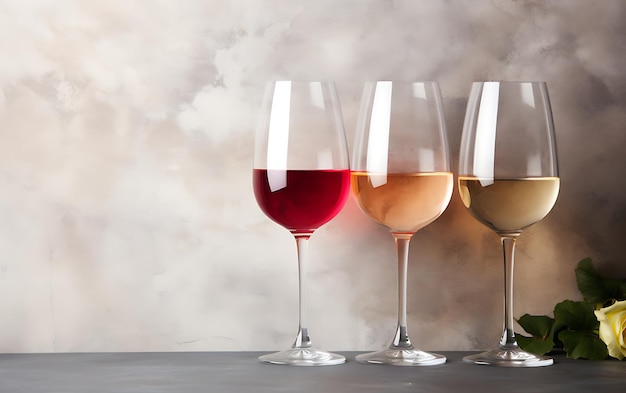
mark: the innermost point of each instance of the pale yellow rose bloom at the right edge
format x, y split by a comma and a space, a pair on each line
613, 328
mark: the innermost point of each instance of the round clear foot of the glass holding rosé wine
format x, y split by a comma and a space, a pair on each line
402, 357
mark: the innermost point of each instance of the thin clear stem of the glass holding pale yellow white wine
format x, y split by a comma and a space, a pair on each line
508, 340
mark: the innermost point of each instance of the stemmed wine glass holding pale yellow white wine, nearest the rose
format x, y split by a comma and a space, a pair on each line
508, 180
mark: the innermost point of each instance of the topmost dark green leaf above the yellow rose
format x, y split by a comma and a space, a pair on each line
594, 287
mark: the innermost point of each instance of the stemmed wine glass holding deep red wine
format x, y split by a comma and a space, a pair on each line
301, 181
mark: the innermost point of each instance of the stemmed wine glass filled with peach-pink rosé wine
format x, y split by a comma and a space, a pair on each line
401, 179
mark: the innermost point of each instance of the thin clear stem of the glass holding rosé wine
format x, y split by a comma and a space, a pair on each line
401, 338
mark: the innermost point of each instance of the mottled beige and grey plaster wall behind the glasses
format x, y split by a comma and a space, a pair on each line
127, 219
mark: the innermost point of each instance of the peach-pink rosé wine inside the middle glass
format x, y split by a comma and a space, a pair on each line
403, 202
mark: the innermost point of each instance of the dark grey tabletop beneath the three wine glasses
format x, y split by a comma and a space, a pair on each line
242, 372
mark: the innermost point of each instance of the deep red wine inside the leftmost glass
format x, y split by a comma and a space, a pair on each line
301, 200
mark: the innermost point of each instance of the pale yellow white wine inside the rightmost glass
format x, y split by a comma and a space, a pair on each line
509, 205
